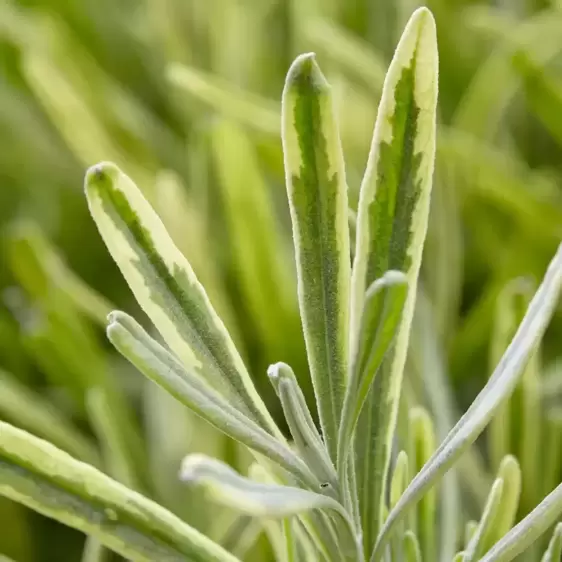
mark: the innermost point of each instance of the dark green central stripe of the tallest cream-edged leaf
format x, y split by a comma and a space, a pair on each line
388, 249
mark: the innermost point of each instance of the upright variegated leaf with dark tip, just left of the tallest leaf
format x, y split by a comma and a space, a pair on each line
317, 191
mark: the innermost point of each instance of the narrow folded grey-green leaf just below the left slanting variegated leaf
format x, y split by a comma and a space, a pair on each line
164, 369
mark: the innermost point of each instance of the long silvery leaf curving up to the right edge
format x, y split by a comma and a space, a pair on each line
499, 387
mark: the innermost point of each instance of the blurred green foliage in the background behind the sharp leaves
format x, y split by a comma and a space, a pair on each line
89, 80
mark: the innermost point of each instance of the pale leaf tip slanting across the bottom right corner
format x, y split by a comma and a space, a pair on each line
527, 531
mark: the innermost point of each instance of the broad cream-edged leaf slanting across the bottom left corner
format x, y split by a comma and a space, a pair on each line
45, 479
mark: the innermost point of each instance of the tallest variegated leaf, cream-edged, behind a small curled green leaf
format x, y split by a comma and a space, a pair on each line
391, 227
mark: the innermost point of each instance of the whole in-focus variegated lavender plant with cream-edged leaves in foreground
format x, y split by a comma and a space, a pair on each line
338, 488
